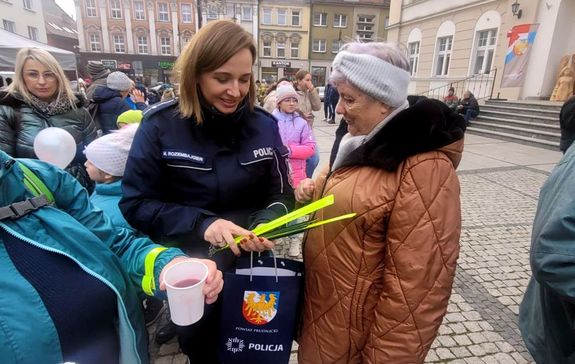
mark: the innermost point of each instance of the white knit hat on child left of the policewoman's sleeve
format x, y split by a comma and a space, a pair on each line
109, 153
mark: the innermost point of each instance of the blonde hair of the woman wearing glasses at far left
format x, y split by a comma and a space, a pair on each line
18, 86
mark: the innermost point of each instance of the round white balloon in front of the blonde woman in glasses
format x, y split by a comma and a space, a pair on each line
56, 146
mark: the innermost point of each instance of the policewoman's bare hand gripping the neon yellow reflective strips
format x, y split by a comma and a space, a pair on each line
222, 232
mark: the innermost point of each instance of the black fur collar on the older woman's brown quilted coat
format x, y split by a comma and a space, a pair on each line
426, 125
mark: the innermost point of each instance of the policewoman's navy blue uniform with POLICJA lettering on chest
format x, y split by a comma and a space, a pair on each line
181, 176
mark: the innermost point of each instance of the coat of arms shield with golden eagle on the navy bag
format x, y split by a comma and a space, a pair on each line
260, 307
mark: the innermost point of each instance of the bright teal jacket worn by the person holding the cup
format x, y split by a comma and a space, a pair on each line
78, 230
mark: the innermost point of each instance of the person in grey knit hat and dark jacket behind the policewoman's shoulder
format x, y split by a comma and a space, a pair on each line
111, 100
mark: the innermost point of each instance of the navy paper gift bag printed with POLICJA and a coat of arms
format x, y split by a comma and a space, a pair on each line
260, 310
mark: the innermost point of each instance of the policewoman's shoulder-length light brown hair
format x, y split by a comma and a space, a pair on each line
209, 49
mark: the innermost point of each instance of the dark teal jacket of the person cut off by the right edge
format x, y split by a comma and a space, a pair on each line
547, 313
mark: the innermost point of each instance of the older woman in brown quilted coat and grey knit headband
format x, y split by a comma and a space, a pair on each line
377, 286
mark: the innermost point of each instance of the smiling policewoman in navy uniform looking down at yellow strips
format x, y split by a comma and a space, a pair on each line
208, 166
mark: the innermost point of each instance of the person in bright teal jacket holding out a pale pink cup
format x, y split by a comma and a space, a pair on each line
72, 280
